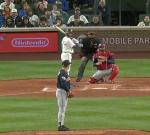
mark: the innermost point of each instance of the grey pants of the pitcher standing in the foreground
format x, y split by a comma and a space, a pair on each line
62, 101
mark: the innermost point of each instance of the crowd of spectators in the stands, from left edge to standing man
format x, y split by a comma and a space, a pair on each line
43, 13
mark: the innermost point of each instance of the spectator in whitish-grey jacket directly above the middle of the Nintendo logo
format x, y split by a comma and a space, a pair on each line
34, 19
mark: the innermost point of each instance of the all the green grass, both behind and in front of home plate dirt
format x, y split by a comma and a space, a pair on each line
27, 114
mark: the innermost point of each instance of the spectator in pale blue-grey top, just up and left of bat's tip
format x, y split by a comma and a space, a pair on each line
50, 17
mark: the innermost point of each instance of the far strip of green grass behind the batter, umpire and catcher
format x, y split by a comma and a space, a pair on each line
49, 69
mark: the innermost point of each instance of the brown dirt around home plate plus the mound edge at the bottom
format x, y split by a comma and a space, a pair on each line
124, 87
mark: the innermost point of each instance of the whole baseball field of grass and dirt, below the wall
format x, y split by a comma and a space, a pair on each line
102, 109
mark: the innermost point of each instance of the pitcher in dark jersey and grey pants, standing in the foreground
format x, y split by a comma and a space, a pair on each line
62, 92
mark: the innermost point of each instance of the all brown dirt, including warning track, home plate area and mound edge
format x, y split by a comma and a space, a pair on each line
124, 87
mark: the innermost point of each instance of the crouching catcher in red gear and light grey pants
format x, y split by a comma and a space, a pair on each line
104, 61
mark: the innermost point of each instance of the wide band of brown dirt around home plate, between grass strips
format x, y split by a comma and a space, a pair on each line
124, 87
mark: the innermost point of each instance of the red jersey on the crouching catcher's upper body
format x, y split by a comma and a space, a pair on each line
105, 65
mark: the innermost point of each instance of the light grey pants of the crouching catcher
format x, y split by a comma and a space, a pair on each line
102, 73
